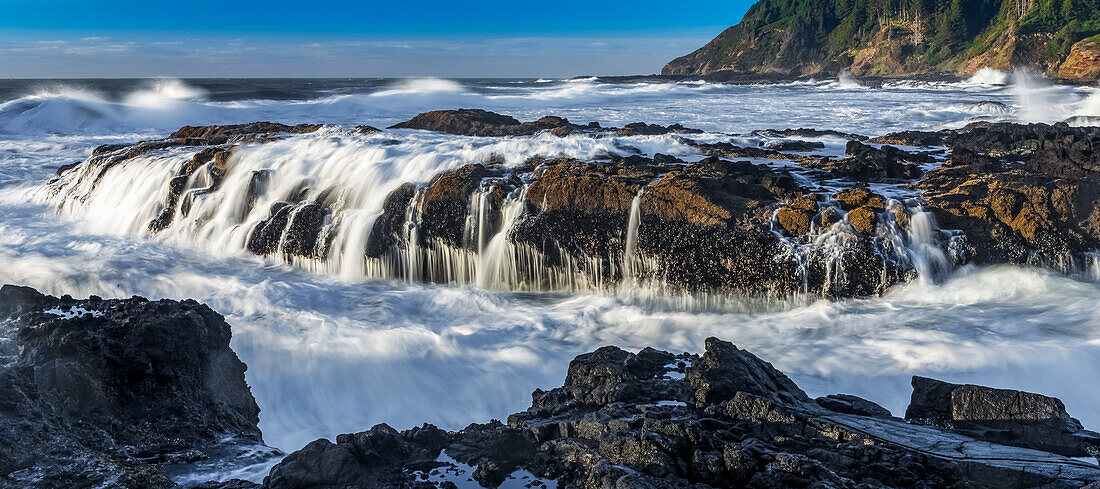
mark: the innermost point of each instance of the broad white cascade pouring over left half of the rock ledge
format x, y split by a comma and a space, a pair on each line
349, 177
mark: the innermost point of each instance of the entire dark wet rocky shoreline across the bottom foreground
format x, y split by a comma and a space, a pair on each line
123, 393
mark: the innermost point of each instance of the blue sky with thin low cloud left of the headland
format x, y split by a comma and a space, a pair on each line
347, 39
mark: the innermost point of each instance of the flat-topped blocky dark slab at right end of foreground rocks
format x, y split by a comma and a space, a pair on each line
1002, 416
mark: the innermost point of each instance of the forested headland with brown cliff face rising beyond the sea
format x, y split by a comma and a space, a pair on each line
904, 38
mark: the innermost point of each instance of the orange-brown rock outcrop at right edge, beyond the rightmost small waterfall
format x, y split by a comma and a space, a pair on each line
1044, 210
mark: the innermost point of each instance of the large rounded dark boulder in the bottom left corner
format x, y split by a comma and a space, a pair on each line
113, 393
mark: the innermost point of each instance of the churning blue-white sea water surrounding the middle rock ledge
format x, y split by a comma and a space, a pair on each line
332, 348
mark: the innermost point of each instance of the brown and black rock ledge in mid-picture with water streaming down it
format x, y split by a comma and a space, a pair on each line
783, 218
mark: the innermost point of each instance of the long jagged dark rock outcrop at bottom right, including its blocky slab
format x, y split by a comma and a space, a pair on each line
656, 420
